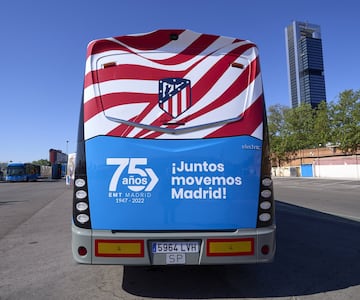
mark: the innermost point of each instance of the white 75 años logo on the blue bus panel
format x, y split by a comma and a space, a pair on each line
137, 177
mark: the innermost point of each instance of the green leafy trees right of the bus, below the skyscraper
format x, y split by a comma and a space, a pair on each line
303, 127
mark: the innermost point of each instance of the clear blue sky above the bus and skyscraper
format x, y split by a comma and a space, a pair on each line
43, 46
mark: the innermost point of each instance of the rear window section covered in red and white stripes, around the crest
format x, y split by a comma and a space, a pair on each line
144, 93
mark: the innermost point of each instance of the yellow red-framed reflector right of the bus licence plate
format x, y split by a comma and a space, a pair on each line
230, 247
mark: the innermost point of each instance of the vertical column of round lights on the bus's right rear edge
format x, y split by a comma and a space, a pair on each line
266, 203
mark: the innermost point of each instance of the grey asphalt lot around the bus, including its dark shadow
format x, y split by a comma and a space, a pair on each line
318, 254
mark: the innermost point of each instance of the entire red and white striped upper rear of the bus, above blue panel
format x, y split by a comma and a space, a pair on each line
207, 62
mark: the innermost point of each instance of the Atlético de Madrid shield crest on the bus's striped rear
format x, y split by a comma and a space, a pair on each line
174, 95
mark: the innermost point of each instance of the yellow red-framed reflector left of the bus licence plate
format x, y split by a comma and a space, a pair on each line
119, 248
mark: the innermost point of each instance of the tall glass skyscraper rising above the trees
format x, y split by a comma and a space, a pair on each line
305, 64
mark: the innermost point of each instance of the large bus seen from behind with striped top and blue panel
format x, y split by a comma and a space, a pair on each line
172, 163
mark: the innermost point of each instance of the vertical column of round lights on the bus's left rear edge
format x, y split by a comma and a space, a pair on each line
81, 203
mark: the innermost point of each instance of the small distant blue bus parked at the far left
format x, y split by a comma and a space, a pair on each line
22, 172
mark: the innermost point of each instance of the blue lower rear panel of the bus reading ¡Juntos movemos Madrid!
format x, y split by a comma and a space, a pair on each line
208, 184
